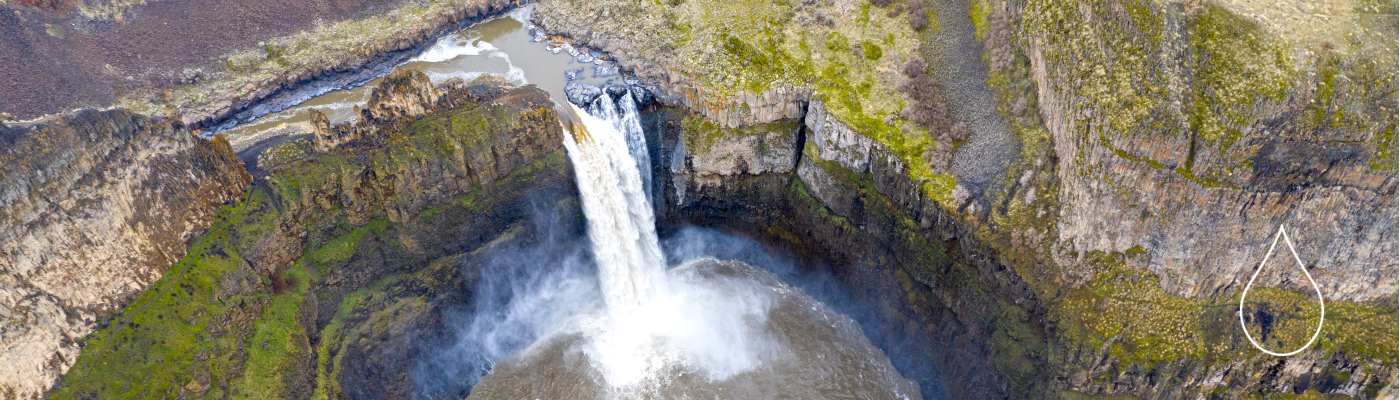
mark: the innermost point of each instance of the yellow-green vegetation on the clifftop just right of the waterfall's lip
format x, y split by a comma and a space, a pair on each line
852, 61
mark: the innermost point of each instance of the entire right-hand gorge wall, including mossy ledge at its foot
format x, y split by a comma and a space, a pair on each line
1181, 138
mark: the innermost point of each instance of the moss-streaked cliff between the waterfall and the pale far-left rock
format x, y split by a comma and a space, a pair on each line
342, 264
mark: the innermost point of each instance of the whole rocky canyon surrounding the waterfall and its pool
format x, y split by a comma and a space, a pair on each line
1073, 210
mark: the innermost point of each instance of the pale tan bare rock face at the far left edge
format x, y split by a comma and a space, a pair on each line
97, 205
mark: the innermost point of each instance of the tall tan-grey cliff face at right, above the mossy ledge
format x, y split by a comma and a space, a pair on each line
1212, 170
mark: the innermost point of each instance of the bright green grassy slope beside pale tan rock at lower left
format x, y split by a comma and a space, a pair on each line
183, 334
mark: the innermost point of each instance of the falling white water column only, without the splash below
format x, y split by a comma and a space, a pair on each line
610, 156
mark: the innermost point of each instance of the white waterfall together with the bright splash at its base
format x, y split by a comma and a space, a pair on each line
653, 324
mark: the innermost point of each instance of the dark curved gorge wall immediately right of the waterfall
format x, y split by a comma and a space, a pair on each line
815, 188
